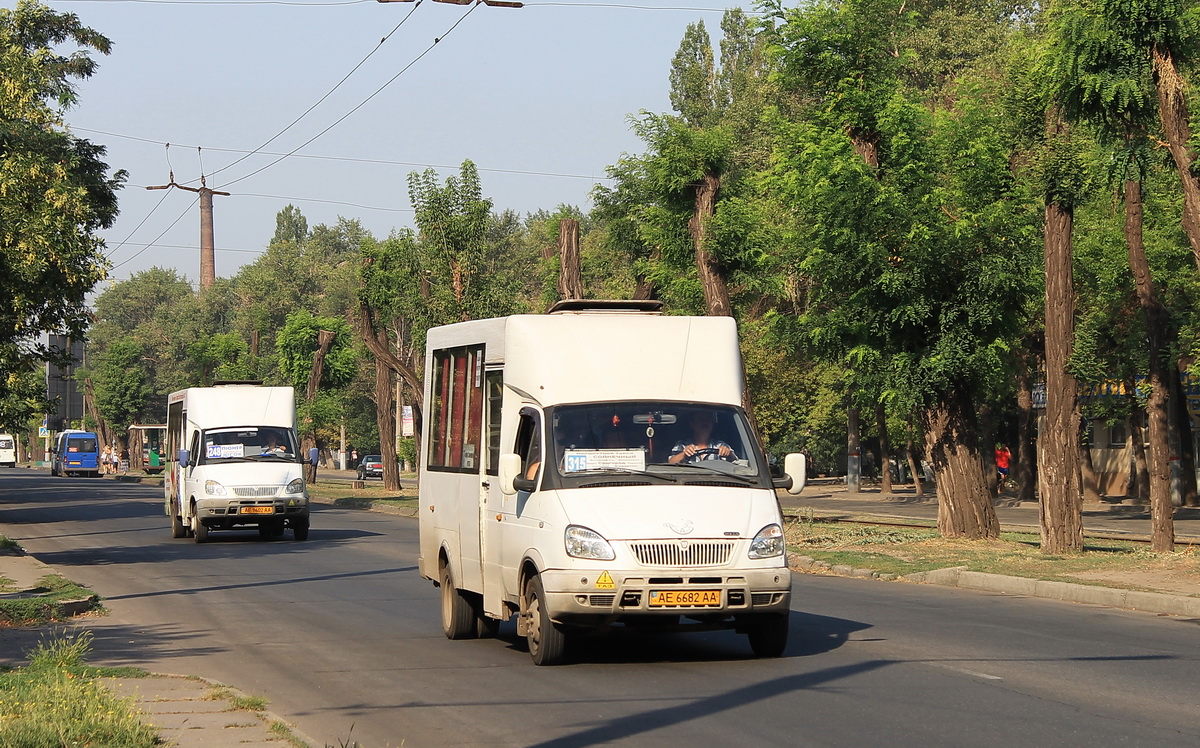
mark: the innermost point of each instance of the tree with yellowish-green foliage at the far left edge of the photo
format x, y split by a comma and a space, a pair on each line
57, 192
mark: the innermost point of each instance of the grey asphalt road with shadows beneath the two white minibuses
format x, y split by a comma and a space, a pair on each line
343, 637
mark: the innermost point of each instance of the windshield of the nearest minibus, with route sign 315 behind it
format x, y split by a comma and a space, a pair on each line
683, 441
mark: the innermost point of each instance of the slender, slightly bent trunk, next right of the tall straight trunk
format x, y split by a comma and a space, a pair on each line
1162, 513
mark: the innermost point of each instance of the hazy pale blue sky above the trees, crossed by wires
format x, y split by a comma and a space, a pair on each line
538, 98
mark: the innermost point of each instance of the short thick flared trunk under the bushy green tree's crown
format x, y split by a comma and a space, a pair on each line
952, 446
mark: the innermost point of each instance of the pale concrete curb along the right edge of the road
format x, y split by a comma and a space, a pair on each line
959, 577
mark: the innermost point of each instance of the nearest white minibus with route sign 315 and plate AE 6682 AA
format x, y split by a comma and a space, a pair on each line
593, 468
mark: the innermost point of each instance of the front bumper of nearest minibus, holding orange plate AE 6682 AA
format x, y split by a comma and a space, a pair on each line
586, 595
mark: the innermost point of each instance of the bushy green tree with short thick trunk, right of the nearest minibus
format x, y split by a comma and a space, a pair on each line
887, 194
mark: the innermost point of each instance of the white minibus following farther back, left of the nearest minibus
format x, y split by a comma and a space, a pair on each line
235, 462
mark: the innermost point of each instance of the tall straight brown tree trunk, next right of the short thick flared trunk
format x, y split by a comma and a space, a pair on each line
1061, 500
